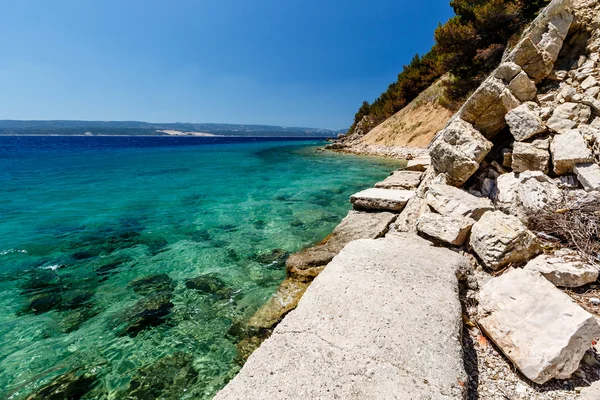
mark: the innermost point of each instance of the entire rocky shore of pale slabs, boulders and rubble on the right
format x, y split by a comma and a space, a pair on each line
473, 272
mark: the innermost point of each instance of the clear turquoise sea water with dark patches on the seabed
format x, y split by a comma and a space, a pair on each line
82, 218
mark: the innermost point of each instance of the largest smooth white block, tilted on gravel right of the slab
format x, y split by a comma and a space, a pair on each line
537, 326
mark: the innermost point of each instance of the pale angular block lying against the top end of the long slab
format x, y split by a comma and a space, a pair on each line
445, 228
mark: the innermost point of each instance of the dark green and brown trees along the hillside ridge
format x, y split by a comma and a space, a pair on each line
468, 46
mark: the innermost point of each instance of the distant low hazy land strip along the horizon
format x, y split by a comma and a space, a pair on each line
137, 128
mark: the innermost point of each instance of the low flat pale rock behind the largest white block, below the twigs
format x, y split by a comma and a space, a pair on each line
564, 268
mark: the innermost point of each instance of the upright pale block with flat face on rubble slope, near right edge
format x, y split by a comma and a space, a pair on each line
568, 149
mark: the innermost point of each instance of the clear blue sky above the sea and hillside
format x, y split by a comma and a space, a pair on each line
306, 63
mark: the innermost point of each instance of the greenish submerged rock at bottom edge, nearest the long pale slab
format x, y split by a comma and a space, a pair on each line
167, 379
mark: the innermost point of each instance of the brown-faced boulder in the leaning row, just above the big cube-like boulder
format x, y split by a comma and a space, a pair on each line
486, 108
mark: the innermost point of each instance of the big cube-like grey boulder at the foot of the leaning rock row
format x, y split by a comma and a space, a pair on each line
458, 150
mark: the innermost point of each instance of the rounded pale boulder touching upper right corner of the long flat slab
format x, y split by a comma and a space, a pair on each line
499, 239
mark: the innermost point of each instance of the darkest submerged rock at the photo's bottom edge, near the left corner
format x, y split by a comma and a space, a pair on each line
67, 386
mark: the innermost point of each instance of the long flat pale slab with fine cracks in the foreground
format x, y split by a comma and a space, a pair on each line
369, 327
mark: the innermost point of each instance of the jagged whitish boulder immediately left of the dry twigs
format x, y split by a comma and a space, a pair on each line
527, 193
